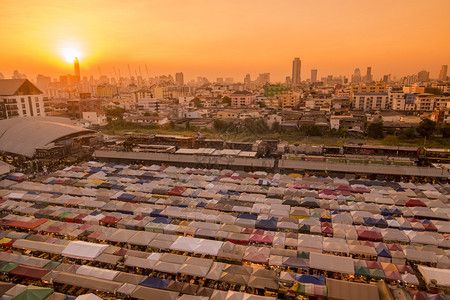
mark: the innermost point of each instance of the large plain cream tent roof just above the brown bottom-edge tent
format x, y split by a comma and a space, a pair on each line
331, 263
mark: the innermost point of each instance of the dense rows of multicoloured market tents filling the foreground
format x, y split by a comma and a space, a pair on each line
287, 226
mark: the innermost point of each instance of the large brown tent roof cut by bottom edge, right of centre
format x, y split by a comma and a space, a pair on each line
342, 289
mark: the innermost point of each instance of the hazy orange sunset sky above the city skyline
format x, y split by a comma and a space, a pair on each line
225, 38
